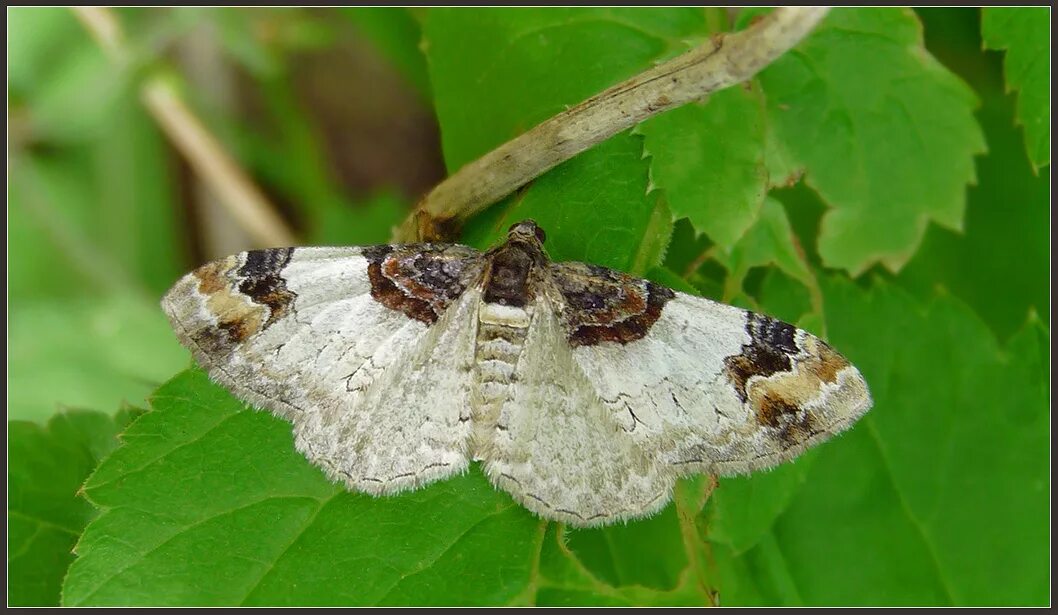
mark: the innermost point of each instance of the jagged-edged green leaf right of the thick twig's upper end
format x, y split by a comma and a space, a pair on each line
886, 135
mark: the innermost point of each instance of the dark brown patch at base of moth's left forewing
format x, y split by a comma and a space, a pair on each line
422, 280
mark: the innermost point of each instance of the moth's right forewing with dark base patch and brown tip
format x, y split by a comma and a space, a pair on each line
702, 386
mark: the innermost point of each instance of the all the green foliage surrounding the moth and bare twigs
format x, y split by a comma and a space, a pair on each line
931, 161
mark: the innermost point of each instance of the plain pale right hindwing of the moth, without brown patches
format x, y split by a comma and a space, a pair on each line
558, 453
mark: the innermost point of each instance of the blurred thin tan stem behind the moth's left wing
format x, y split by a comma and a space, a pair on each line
207, 156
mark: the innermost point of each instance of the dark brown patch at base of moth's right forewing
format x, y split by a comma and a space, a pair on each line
603, 305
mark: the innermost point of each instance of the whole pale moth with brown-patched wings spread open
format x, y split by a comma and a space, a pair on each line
583, 392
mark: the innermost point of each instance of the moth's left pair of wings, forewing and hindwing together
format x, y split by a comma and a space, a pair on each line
306, 333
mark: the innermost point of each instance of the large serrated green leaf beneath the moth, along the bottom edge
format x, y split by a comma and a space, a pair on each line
203, 471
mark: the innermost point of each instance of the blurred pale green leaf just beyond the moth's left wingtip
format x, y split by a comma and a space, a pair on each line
87, 353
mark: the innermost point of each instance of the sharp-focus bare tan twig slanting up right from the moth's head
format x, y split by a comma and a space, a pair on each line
724, 62
